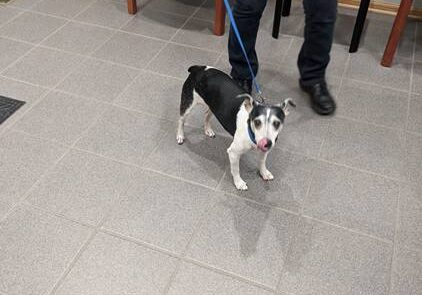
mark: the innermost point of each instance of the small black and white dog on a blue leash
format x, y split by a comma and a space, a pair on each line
252, 124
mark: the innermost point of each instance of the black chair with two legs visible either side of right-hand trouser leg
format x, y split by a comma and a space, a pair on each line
282, 8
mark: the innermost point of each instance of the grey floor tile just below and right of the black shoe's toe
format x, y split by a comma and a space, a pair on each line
364, 146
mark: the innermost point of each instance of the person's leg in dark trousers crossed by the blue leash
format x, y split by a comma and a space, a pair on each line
247, 14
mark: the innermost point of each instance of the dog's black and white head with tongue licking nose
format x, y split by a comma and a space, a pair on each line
266, 121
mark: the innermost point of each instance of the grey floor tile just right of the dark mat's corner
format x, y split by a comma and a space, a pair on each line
60, 117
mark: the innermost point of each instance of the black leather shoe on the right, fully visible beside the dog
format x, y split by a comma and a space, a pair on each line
322, 101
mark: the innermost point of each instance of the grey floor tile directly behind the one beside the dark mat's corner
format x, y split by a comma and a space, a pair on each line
99, 80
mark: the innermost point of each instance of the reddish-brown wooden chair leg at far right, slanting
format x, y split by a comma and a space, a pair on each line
396, 32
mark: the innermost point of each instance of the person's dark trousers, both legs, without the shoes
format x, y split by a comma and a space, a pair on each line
314, 56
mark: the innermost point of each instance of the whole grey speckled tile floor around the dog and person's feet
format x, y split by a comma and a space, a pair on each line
96, 197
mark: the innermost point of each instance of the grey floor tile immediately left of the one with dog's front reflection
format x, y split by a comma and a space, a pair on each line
161, 211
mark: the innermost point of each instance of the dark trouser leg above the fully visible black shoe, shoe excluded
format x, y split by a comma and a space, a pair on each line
320, 17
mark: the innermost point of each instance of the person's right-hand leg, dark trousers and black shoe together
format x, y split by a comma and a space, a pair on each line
320, 17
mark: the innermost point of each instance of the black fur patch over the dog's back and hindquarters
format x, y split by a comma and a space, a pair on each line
218, 90
